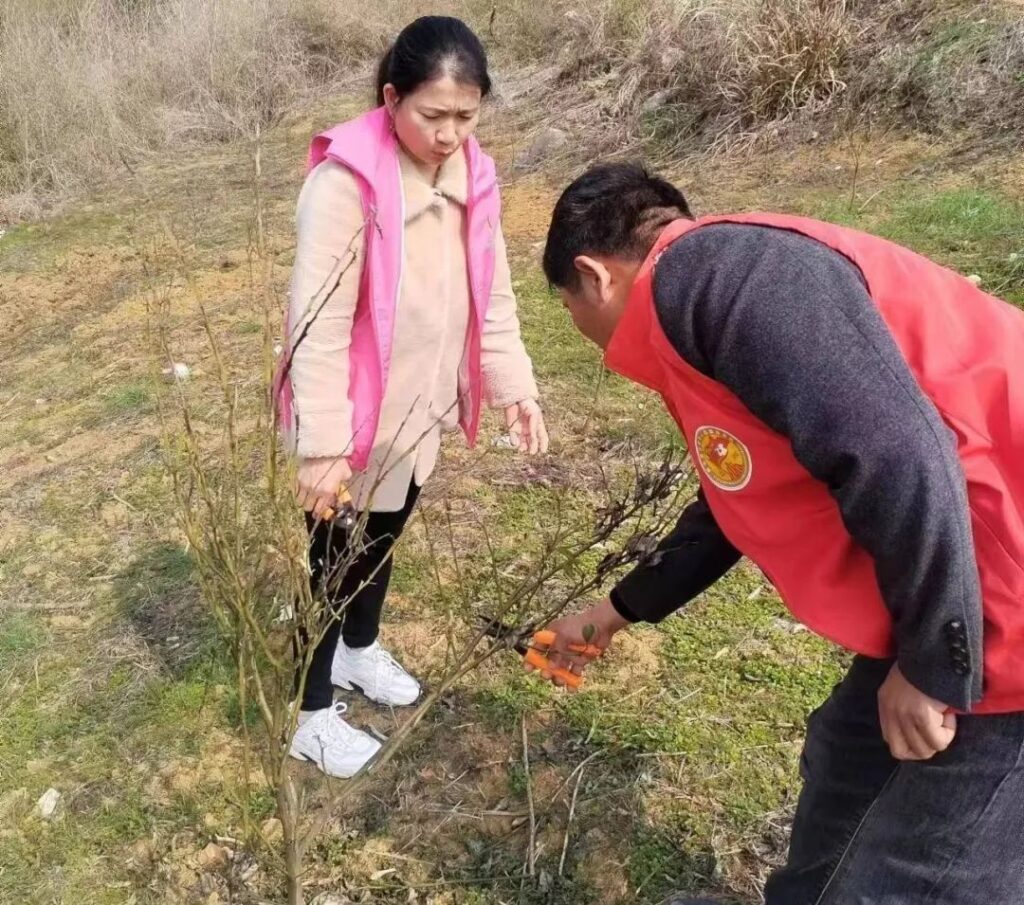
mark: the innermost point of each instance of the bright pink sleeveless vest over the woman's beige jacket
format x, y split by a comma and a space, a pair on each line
368, 148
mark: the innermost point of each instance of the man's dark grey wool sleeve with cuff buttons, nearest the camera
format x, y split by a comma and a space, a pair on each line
787, 325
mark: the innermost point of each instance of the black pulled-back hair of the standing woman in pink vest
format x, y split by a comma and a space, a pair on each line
430, 48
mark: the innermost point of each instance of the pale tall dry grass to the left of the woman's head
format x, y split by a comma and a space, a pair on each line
89, 90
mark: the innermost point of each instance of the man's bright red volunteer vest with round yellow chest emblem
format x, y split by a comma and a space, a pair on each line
966, 350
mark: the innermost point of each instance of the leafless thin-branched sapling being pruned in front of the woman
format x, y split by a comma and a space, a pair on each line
236, 510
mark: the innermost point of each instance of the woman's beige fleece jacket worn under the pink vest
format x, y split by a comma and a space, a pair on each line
431, 333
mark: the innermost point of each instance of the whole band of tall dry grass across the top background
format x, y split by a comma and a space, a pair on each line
91, 89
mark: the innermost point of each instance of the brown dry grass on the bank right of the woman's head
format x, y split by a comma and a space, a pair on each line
679, 76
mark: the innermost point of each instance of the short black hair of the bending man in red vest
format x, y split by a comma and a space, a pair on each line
614, 210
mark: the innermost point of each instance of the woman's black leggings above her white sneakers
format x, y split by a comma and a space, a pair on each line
364, 586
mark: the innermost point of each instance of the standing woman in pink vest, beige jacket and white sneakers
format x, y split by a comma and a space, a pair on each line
402, 318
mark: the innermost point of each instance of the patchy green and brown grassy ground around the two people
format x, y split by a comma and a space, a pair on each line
115, 692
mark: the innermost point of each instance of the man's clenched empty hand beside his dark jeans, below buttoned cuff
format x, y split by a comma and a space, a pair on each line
915, 726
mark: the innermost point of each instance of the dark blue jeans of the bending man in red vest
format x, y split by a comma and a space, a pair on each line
871, 831
